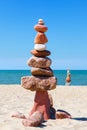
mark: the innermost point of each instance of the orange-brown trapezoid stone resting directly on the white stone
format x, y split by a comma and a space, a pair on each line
40, 38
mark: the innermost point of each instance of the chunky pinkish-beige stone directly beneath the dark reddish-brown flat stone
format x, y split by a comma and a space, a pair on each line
39, 62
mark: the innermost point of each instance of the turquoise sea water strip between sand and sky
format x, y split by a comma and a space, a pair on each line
78, 77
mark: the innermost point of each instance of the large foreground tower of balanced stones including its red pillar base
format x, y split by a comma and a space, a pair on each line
42, 78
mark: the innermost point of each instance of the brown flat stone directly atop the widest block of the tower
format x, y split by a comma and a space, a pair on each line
41, 72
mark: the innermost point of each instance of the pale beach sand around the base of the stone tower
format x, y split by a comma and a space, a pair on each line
72, 99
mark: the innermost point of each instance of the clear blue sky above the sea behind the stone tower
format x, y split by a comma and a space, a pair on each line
67, 32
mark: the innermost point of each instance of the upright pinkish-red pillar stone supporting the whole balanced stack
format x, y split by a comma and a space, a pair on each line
42, 104
